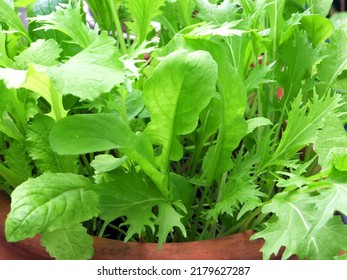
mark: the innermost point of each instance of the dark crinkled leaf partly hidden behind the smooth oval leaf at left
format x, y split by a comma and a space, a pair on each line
39, 148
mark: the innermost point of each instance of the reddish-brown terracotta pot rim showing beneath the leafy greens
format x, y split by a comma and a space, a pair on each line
232, 247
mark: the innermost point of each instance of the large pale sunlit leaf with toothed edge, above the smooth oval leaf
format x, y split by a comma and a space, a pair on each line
95, 70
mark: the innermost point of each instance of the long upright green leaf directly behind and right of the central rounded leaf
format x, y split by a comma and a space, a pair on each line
232, 126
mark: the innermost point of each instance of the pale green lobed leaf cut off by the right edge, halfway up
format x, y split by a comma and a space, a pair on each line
331, 142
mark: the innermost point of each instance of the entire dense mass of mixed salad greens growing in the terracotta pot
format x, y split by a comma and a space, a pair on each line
235, 123
